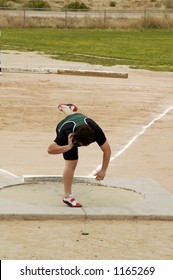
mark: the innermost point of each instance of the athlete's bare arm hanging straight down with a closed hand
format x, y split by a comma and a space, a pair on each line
105, 162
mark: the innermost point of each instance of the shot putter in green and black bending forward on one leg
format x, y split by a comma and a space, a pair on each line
74, 131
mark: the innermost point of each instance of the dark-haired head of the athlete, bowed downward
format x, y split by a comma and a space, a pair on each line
83, 135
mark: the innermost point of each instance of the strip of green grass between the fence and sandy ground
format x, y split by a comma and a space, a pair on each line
145, 49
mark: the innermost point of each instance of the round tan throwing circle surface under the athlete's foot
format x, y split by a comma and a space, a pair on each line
50, 194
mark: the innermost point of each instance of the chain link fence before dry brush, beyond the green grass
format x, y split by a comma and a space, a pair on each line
86, 18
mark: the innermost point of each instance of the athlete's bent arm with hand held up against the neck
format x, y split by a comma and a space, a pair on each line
55, 149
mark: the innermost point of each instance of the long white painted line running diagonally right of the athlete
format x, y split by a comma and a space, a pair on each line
131, 141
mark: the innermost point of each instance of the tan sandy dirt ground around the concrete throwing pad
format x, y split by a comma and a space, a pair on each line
122, 107
